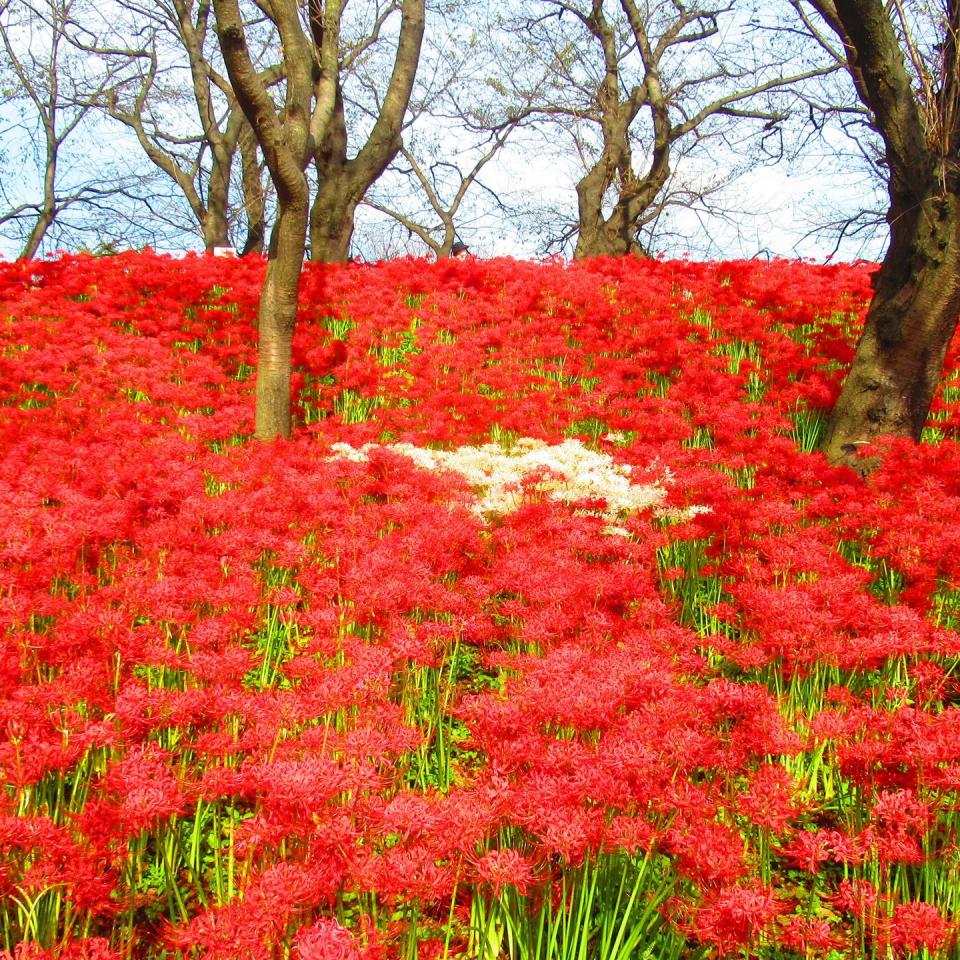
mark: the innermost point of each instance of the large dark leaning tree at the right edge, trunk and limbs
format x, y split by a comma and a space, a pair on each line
902, 58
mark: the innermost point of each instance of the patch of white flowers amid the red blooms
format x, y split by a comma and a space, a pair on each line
570, 471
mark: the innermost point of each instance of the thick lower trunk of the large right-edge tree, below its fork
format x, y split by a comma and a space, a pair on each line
908, 328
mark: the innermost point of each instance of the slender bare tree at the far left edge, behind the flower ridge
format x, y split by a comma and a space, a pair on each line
54, 92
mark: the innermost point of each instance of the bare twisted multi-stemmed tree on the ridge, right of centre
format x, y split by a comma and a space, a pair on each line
635, 86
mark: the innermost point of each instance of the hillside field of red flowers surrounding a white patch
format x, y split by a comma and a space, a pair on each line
547, 636
